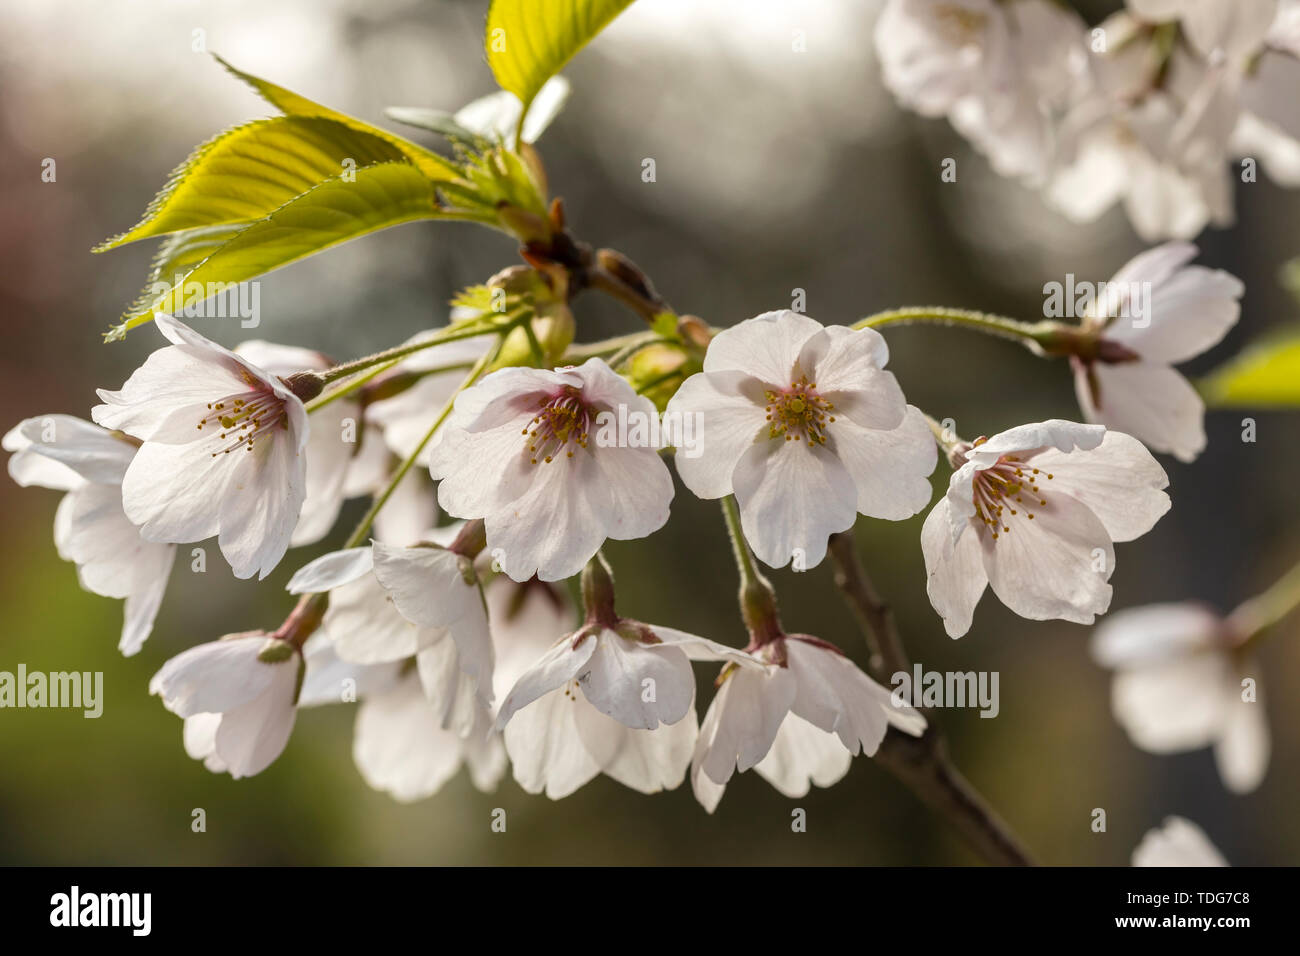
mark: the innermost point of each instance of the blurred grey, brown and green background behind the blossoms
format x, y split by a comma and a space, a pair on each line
775, 171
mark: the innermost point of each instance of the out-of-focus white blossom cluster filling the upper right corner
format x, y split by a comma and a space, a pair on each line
1156, 109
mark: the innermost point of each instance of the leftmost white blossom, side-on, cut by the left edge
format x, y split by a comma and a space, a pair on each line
88, 464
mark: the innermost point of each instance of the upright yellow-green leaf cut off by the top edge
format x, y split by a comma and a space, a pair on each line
530, 41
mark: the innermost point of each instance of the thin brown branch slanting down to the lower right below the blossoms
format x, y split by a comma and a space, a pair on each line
921, 763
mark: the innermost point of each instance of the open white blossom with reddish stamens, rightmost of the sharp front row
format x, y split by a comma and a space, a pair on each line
1034, 513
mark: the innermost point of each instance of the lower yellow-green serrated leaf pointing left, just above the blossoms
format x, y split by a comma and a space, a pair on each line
335, 211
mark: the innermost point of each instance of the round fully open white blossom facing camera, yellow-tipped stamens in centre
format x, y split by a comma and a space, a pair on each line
805, 427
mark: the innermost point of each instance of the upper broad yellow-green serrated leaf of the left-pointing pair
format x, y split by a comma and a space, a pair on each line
252, 171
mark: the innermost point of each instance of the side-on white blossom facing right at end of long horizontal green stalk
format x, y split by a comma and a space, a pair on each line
1137, 391
